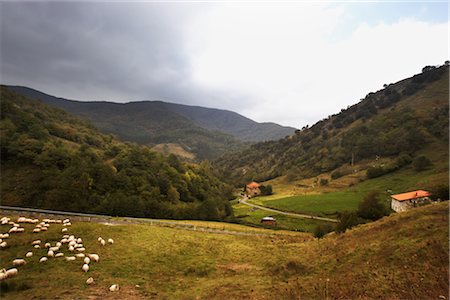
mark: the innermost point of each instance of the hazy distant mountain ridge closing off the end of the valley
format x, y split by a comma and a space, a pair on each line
205, 132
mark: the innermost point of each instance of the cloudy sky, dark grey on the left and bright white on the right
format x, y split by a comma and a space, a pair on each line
293, 63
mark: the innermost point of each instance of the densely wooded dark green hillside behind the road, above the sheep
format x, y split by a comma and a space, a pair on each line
52, 160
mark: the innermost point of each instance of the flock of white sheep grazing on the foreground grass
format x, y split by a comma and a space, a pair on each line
73, 244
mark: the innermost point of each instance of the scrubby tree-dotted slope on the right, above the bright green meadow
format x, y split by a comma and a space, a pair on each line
396, 122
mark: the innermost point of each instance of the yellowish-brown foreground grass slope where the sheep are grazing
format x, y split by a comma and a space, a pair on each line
403, 256
